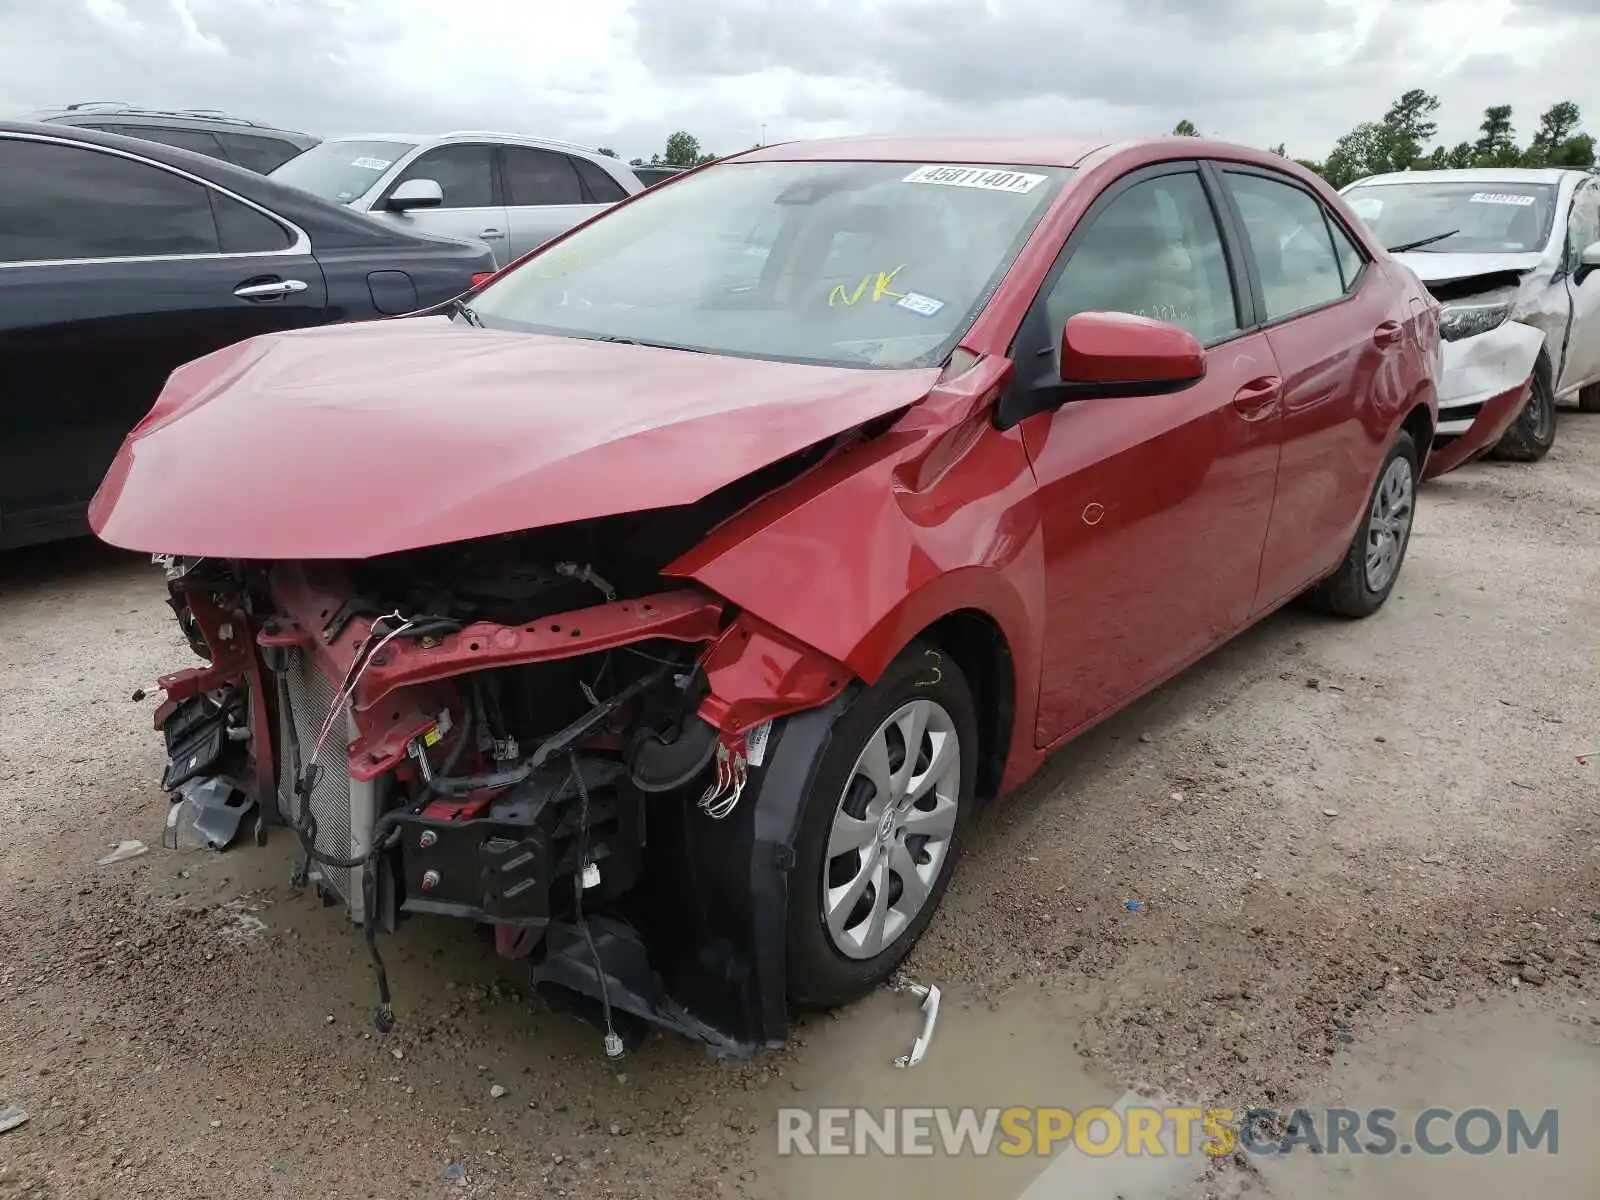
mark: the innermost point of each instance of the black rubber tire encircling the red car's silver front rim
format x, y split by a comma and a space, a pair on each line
820, 975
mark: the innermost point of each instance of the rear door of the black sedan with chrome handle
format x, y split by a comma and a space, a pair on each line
113, 273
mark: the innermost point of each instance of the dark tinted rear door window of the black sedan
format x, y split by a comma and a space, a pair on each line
66, 202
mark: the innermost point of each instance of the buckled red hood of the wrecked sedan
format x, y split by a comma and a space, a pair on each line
358, 441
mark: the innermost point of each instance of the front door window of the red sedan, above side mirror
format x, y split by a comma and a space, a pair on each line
1156, 250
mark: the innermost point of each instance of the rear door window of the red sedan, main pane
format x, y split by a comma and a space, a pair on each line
1292, 246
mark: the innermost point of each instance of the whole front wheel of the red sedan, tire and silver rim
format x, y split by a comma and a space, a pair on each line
881, 830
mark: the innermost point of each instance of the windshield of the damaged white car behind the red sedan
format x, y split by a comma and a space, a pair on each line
1479, 218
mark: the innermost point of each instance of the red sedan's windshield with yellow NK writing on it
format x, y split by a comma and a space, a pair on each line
839, 263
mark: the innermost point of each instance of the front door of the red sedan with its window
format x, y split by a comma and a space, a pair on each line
1156, 508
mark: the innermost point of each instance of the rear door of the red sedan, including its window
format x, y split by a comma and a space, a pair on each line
1330, 322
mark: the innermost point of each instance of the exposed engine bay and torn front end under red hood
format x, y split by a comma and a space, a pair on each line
521, 734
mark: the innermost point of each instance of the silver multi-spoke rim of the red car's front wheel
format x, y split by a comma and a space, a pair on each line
892, 830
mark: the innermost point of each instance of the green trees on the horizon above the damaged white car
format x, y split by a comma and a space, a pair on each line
1401, 142
